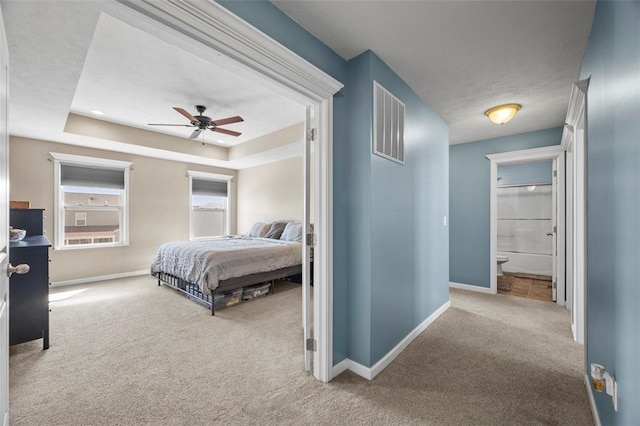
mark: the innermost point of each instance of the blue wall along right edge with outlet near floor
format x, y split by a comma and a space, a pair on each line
612, 61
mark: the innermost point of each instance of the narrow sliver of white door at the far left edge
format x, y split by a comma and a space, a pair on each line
4, 230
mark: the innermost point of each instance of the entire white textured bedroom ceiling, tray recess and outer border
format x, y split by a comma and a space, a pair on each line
79, 56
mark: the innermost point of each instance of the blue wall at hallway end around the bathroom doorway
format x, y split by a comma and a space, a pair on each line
469, 207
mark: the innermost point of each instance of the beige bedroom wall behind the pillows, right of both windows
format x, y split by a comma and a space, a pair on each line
270, 192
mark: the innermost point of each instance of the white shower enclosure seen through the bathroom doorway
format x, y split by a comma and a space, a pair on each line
525, 227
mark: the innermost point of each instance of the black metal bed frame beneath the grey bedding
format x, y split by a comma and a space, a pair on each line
193, 292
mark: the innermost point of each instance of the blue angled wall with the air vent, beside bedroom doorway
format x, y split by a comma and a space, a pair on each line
390, 245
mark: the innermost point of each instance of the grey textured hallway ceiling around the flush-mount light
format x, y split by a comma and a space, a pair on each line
463, 57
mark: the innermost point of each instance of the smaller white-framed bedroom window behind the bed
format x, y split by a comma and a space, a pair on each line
209, 204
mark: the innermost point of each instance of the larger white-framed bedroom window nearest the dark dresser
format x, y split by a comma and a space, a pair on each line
91, 202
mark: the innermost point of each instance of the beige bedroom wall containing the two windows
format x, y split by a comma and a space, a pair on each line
158, 208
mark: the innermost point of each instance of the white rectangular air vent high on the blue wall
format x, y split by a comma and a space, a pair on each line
388, 125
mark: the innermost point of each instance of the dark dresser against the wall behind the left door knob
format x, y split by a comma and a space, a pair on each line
29, 293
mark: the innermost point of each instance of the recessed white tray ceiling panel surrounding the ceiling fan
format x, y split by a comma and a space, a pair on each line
136, 78
